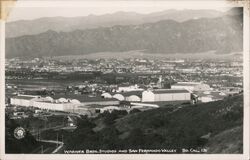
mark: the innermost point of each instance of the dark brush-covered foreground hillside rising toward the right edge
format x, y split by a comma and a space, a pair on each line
208, 125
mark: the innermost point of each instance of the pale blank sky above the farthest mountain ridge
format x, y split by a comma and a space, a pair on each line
24, 10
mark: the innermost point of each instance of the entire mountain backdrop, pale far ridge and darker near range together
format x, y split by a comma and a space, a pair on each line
162, 32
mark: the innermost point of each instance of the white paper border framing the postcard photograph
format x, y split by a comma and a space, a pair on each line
168, 3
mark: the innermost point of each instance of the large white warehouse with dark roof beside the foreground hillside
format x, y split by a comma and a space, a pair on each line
166, 95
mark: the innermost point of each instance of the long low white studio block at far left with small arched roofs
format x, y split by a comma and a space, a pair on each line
67, 103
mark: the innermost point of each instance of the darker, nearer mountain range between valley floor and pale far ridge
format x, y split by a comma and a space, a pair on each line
223, 35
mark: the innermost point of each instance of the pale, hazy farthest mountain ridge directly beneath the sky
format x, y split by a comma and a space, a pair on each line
30, 27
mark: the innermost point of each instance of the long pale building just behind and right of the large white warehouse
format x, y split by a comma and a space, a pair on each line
191, 86
